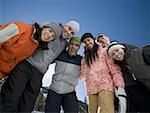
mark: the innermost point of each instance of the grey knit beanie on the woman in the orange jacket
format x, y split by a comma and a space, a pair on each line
57, 29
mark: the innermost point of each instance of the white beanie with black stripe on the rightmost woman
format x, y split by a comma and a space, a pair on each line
114, 45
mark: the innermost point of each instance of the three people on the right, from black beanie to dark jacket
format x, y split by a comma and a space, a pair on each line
114, 68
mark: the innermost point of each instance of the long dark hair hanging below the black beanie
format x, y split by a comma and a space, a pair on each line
91, 54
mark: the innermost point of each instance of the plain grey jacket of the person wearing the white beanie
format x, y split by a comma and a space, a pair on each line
42, 59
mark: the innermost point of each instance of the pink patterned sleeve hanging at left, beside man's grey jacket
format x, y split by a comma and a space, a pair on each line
83, 70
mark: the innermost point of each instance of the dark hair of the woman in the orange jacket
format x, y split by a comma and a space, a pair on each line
37, 36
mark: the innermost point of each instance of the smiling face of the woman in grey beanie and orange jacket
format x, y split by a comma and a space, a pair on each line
47, 35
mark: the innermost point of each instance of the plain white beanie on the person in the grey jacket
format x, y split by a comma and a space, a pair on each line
75, 25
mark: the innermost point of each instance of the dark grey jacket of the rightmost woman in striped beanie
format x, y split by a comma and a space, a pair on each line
139, 70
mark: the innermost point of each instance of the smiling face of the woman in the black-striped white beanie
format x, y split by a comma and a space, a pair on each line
118, 54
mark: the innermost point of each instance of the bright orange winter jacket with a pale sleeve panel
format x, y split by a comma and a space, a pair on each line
17, 46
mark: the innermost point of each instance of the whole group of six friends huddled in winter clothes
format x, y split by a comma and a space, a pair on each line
116, 75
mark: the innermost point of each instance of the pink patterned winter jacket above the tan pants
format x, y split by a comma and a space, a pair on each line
103, 74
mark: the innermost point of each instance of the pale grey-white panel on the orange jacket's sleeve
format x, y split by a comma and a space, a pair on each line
7, 31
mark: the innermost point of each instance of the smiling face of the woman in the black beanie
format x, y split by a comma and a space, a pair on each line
89, 42
